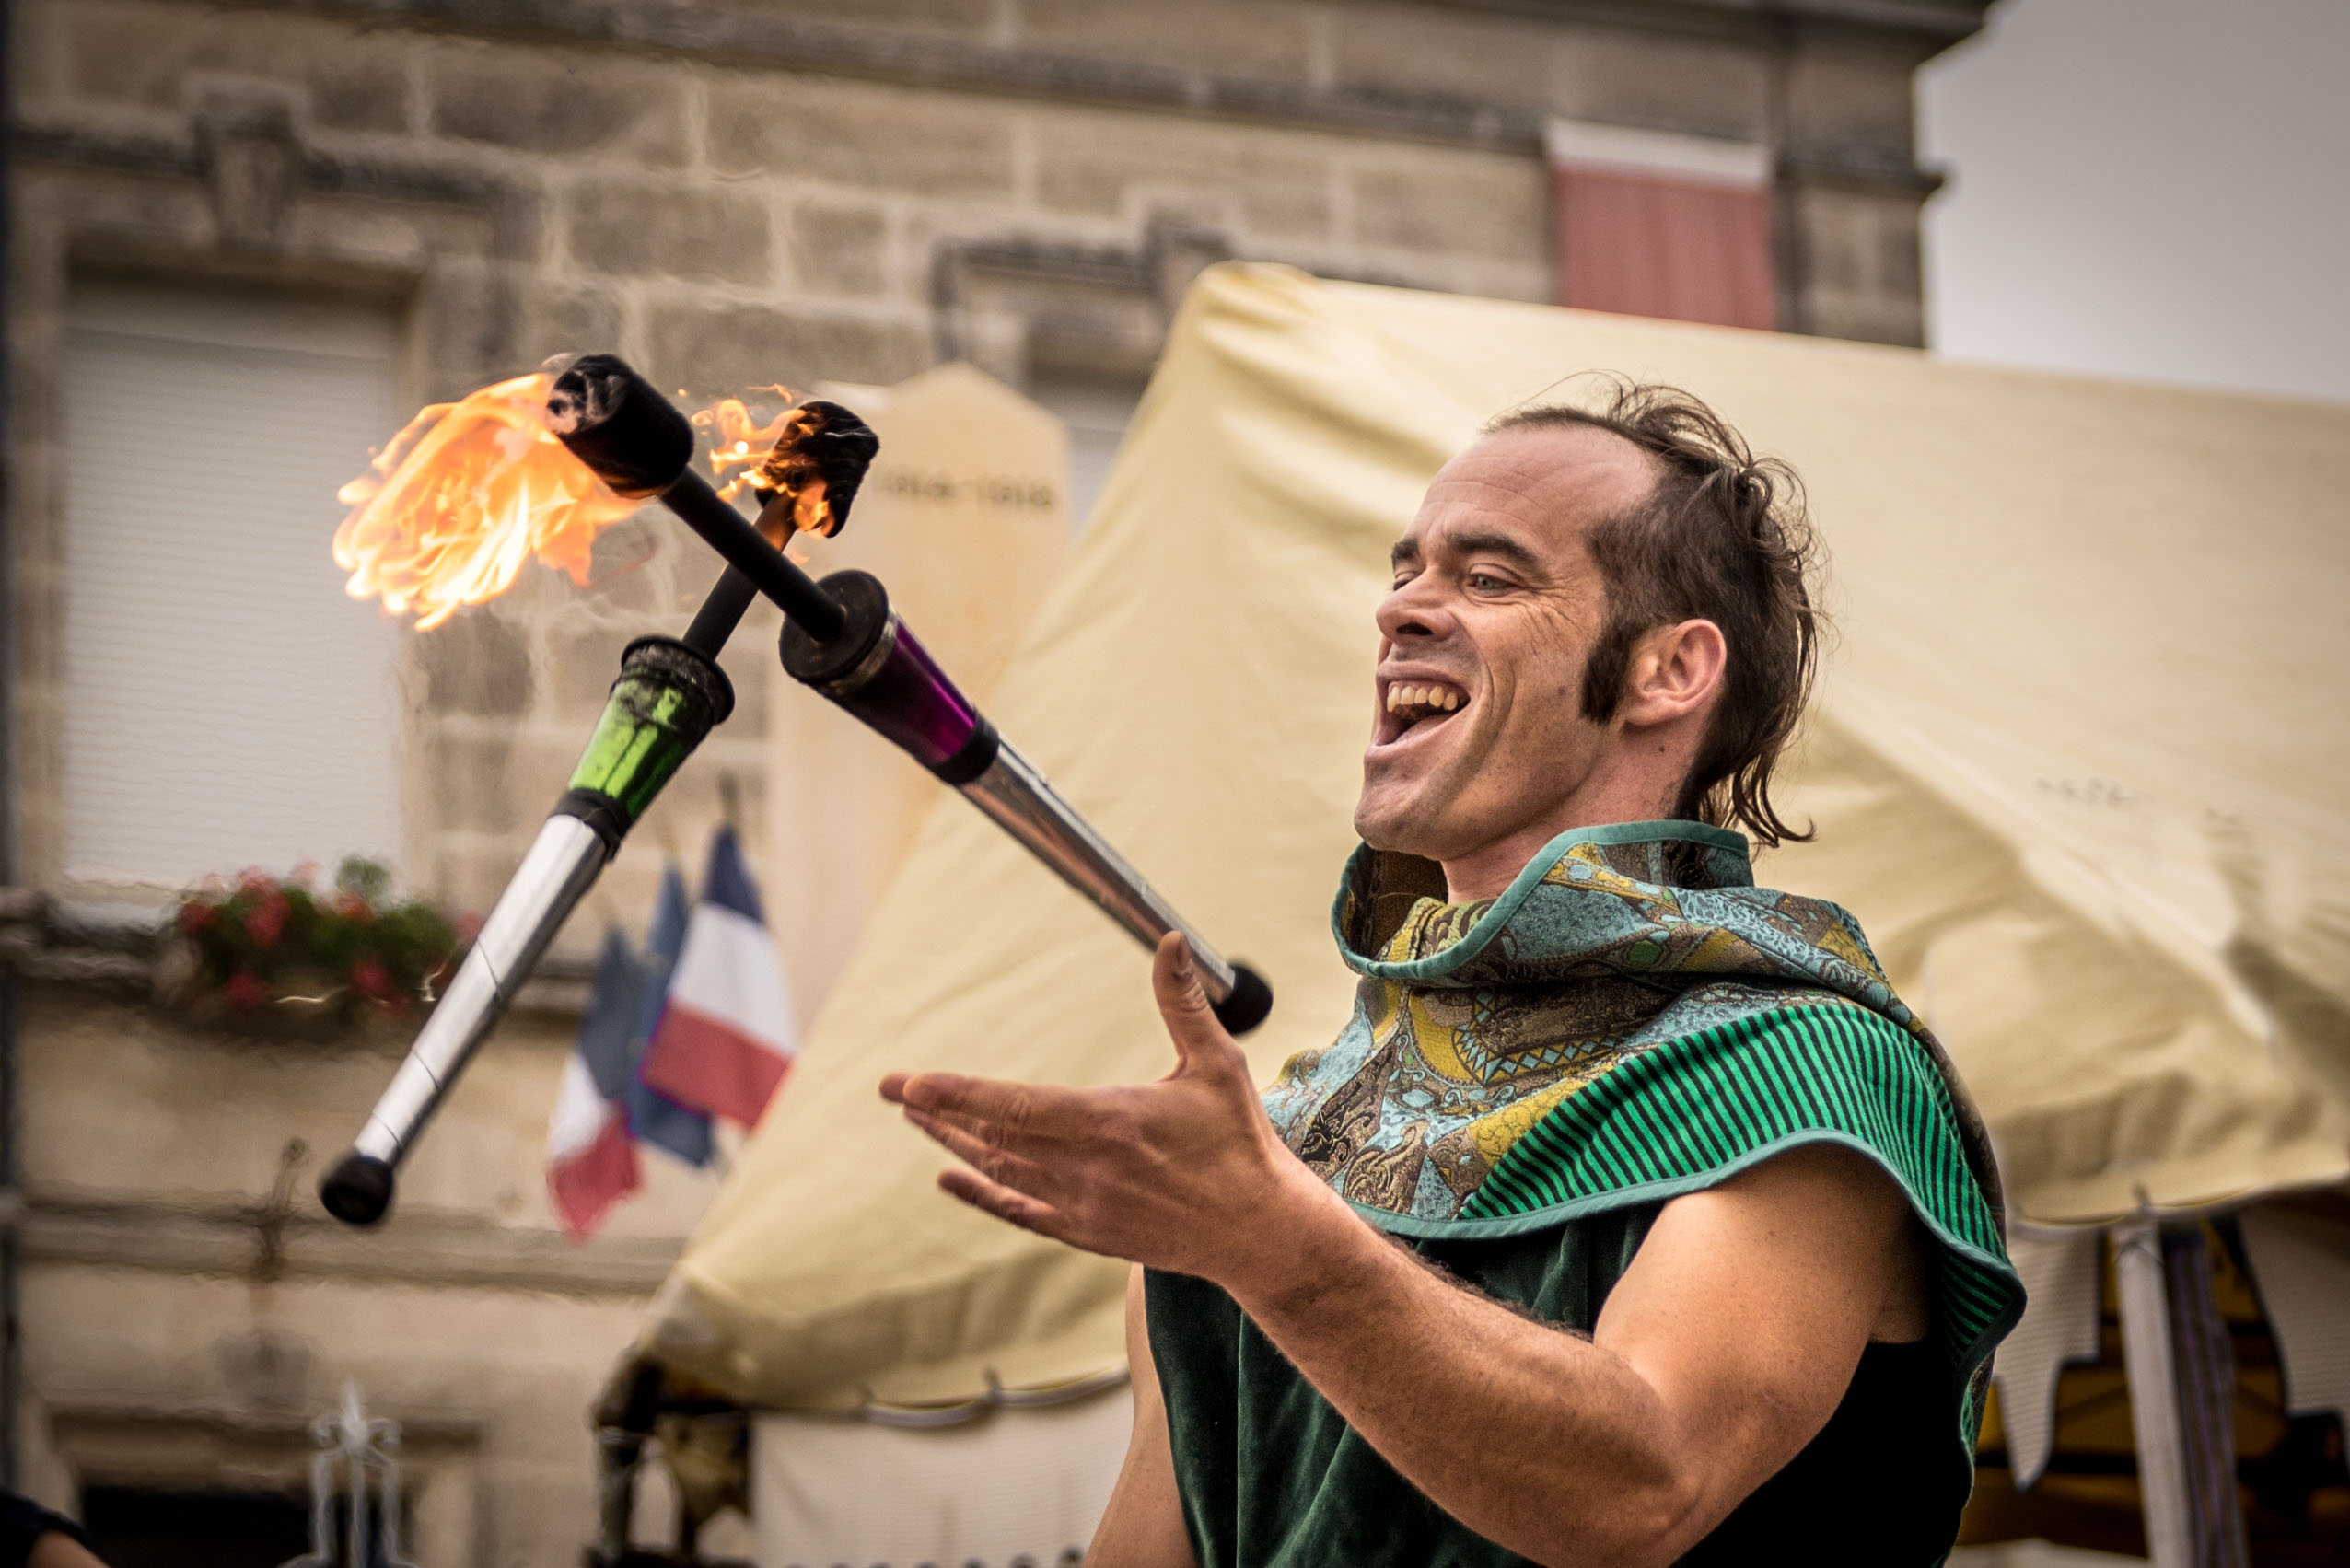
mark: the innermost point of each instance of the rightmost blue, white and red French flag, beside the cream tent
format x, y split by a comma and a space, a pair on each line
727, 1033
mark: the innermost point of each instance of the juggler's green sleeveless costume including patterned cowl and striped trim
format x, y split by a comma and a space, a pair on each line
1524, 1085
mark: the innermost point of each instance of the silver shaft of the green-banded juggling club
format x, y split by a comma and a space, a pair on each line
553, 878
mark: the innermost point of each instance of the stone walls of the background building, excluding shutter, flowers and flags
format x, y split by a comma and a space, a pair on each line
730, 194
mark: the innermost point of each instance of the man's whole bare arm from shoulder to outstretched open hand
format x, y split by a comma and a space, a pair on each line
1719, 1355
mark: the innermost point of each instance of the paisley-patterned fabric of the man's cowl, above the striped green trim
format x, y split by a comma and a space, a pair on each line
1479, 1021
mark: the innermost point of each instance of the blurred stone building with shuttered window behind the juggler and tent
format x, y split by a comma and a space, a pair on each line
246, 241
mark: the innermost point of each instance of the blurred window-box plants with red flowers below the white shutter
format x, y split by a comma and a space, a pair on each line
351, 949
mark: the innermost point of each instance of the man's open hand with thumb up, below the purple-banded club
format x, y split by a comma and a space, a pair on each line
1183, 1174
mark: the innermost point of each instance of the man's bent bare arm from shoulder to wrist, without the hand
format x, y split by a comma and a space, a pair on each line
1721, 1353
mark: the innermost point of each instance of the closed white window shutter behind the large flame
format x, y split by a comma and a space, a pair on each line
227, 702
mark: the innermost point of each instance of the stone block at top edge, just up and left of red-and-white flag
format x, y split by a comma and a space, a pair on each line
1446, 53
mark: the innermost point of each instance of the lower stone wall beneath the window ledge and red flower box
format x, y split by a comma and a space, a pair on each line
187, 1306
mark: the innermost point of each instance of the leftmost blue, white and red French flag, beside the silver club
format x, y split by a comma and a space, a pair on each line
591, 1158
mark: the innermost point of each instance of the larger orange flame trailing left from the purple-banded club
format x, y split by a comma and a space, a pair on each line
464, 497
